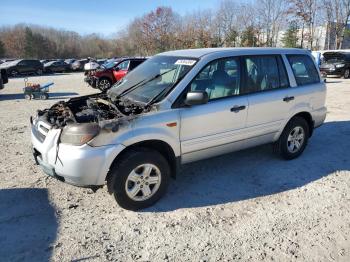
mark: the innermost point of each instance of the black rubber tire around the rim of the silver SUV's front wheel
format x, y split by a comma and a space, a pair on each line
119, 173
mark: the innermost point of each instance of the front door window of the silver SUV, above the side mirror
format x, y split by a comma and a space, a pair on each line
220, 78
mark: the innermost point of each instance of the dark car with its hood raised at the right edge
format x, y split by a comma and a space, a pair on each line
336, 63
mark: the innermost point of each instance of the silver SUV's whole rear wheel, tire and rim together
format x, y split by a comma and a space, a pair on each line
293, 139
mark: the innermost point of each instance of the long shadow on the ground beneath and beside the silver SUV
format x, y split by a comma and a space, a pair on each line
257, 172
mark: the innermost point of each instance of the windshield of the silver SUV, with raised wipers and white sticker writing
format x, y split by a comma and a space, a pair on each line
155, 76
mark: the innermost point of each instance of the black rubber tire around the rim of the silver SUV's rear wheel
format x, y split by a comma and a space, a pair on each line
281, 146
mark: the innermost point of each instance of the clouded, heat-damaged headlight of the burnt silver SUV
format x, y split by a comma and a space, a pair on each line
79, 134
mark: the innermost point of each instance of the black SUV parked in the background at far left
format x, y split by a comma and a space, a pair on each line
23, 67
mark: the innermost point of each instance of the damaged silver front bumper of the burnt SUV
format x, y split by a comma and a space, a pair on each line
77, 165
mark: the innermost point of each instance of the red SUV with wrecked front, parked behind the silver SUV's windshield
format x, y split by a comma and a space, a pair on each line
111, 72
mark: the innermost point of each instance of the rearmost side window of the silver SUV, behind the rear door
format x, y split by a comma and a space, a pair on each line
304, 69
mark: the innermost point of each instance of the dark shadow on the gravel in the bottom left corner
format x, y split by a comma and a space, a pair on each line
28, 226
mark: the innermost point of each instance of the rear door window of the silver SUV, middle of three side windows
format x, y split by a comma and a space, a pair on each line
264, 73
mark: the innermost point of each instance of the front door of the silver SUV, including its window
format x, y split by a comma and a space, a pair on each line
216, 127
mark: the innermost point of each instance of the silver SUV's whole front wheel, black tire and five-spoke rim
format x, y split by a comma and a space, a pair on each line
139, 178
